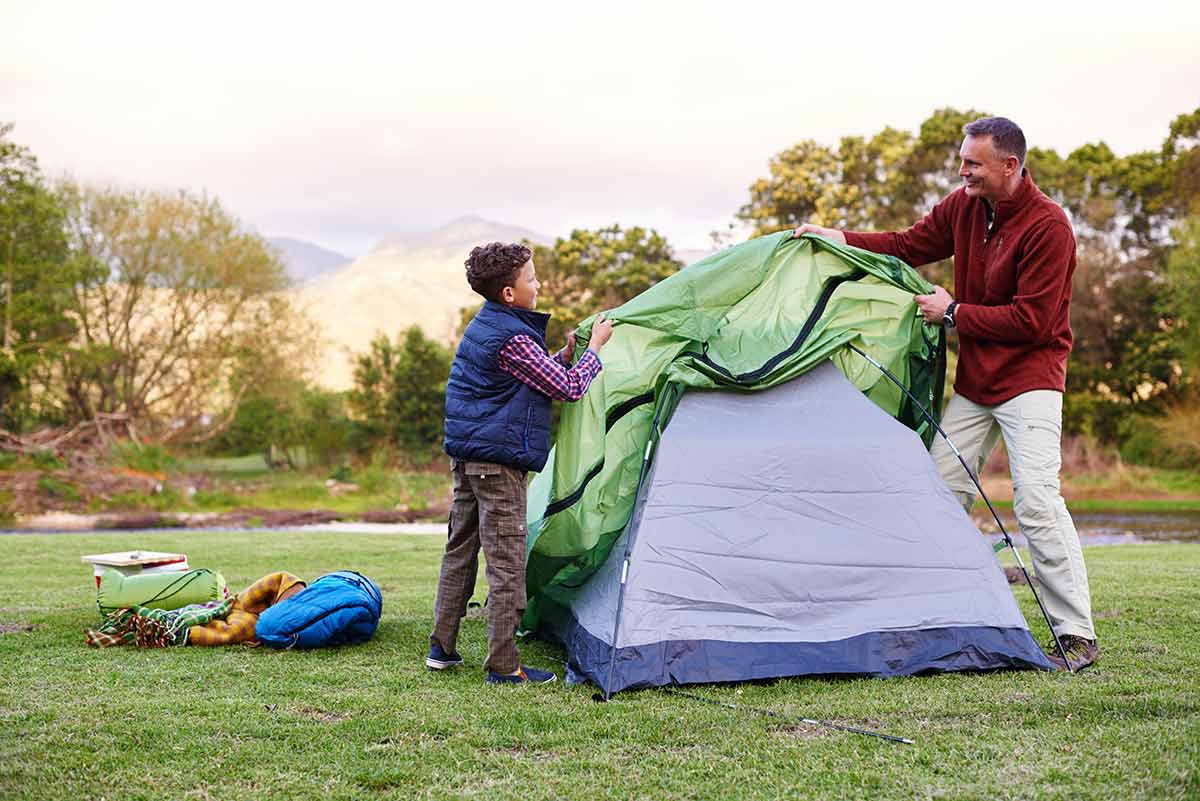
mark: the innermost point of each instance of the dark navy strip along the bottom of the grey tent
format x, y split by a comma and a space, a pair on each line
874, 654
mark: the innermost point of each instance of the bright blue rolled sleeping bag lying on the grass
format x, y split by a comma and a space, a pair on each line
339, 609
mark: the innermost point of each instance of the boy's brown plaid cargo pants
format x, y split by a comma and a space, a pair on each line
489, 511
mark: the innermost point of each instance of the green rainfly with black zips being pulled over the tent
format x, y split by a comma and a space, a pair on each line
747, 320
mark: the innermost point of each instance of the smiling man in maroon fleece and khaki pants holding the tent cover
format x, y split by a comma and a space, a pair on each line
1015, 255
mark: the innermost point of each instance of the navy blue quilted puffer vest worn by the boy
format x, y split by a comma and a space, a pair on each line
491, 417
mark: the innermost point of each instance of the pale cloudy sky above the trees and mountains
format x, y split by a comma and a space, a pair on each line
341, 124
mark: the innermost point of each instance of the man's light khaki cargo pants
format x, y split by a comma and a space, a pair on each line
1031, 425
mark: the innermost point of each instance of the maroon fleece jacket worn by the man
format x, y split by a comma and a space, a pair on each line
1012, 280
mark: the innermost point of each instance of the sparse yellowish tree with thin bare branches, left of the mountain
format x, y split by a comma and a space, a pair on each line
179, 312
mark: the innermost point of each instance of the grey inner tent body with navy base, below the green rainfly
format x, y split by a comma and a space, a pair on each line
793, 532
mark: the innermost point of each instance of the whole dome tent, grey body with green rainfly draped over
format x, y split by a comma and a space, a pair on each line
741, 496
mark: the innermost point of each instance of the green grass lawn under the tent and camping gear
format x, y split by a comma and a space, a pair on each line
371, 722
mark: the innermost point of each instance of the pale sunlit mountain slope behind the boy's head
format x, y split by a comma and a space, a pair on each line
406, 280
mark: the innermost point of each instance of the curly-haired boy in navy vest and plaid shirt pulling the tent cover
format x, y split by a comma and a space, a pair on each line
497, 427
